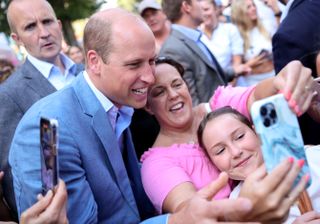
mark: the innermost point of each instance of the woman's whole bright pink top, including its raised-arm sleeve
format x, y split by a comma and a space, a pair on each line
164, 168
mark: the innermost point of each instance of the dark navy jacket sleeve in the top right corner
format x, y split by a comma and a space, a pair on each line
298, 34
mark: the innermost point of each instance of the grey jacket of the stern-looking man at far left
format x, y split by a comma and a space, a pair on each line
17, 94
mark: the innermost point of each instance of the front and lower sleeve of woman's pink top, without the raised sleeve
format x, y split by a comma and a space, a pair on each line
164, 168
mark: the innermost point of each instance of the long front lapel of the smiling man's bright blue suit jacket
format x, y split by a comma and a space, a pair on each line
102, 127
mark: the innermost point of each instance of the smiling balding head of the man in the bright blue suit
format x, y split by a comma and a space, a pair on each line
126, 73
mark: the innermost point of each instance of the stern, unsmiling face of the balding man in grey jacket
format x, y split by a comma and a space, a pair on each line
37, 28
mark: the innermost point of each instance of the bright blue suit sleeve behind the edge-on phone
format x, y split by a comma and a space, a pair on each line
24, 159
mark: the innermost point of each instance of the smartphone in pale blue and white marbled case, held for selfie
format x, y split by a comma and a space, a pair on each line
279, 132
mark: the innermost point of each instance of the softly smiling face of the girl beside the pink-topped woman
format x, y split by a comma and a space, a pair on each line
235, 149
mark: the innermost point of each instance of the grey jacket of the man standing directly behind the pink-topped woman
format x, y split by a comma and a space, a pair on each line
201, 76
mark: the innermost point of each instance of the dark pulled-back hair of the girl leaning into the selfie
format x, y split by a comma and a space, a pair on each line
214, 114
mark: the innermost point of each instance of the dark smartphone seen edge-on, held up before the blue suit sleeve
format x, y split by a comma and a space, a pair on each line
49, 153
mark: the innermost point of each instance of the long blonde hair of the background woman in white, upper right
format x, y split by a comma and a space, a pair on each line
240, 18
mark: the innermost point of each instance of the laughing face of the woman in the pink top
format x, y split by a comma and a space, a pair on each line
169, 98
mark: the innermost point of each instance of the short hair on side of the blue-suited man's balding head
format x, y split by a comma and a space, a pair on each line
97, 36
